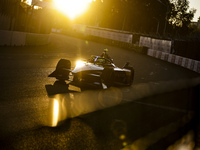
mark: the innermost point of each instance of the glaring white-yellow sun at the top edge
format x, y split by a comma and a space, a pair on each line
72, 8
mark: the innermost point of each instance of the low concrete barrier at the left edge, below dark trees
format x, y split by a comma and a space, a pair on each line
14, 38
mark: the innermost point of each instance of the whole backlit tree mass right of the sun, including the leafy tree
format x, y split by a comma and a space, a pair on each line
145, 16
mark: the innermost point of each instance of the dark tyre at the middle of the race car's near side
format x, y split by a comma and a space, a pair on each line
107, 76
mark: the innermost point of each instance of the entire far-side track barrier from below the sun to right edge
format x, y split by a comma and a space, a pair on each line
146, 42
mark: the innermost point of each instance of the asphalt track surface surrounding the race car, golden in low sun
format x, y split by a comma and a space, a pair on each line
26, 104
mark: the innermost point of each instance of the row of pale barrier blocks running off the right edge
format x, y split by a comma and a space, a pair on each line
178, 60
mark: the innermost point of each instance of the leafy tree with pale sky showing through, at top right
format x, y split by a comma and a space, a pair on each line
180, 17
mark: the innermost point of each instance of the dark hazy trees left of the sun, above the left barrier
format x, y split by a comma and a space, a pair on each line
17, 16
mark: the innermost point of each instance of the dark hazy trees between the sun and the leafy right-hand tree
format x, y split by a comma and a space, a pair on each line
130, 15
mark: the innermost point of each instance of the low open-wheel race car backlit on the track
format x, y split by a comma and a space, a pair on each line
97, 71
